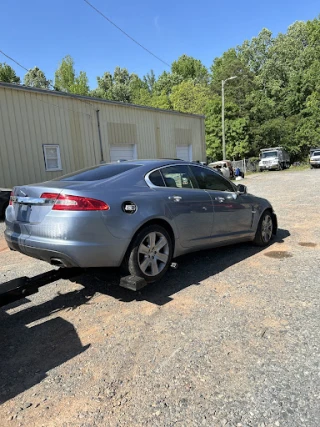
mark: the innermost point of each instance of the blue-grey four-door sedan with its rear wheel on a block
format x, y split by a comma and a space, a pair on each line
135, 214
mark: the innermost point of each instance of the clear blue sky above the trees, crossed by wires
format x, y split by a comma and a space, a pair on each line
41, 33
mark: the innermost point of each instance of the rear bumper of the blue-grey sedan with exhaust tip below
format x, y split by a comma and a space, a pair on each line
70, 254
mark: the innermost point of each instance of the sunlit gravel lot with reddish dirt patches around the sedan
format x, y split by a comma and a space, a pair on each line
231, 338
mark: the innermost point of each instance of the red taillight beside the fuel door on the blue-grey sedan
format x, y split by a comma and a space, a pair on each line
65, 202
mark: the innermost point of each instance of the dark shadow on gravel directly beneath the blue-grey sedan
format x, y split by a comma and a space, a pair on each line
192, 270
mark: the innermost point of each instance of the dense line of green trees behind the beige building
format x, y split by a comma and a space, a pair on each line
274, 99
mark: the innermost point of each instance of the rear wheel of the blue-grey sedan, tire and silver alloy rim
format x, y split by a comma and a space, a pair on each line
150, 254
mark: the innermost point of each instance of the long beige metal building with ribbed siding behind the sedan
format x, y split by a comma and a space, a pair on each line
45, 134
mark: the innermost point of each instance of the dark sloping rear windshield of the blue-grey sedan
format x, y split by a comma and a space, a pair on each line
97, 173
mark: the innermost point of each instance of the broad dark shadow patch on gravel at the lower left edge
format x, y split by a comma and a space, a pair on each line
27, 353
